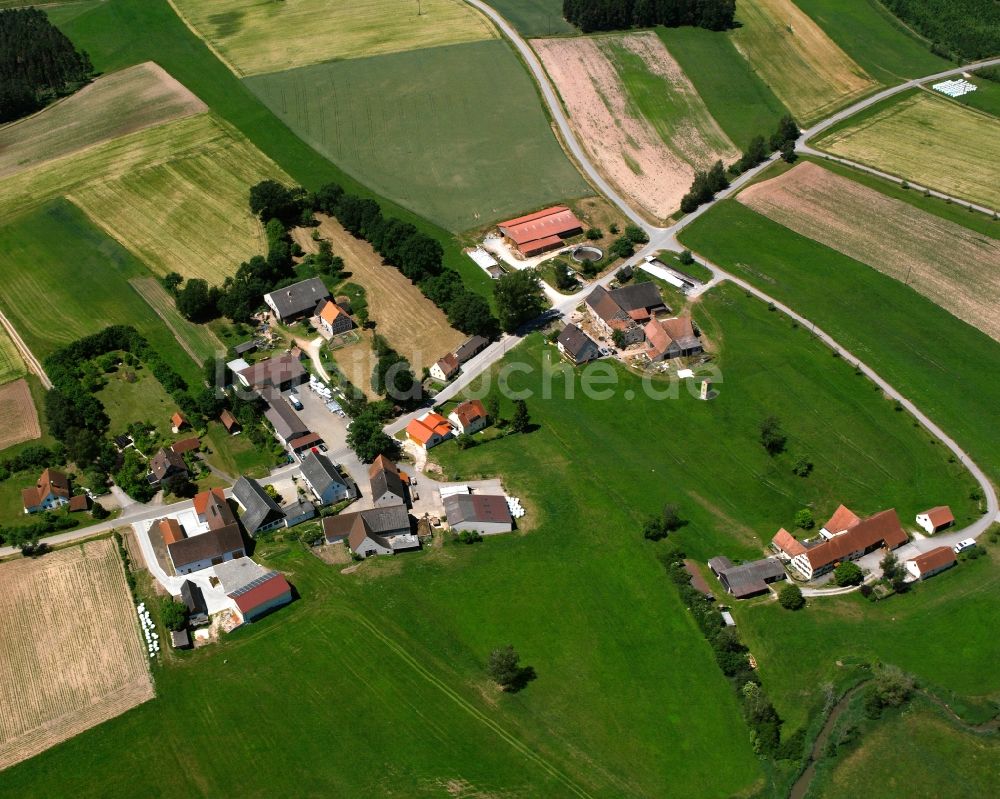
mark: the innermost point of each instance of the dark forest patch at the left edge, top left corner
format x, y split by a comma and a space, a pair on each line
37, 63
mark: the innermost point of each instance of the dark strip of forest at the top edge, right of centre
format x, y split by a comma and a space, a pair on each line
607, 15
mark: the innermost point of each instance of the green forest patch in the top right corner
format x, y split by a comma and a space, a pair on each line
966, 29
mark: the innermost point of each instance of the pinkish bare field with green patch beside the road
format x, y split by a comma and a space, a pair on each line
637, 114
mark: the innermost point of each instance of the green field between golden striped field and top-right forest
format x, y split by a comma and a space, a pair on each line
876, 41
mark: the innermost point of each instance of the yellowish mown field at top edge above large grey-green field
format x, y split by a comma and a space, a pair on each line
254, 37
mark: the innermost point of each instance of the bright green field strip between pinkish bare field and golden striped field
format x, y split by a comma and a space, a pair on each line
737, 98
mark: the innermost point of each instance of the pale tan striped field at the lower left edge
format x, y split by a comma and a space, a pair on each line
70, 654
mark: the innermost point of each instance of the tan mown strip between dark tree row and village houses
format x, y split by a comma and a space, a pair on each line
413, 325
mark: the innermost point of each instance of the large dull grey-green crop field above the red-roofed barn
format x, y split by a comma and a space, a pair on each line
455, 133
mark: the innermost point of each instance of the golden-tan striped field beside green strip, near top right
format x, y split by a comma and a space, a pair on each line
802, 65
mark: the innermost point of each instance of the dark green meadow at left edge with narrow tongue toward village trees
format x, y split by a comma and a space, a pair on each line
85, 285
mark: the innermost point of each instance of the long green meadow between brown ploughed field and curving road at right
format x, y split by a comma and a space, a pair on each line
891, 327
